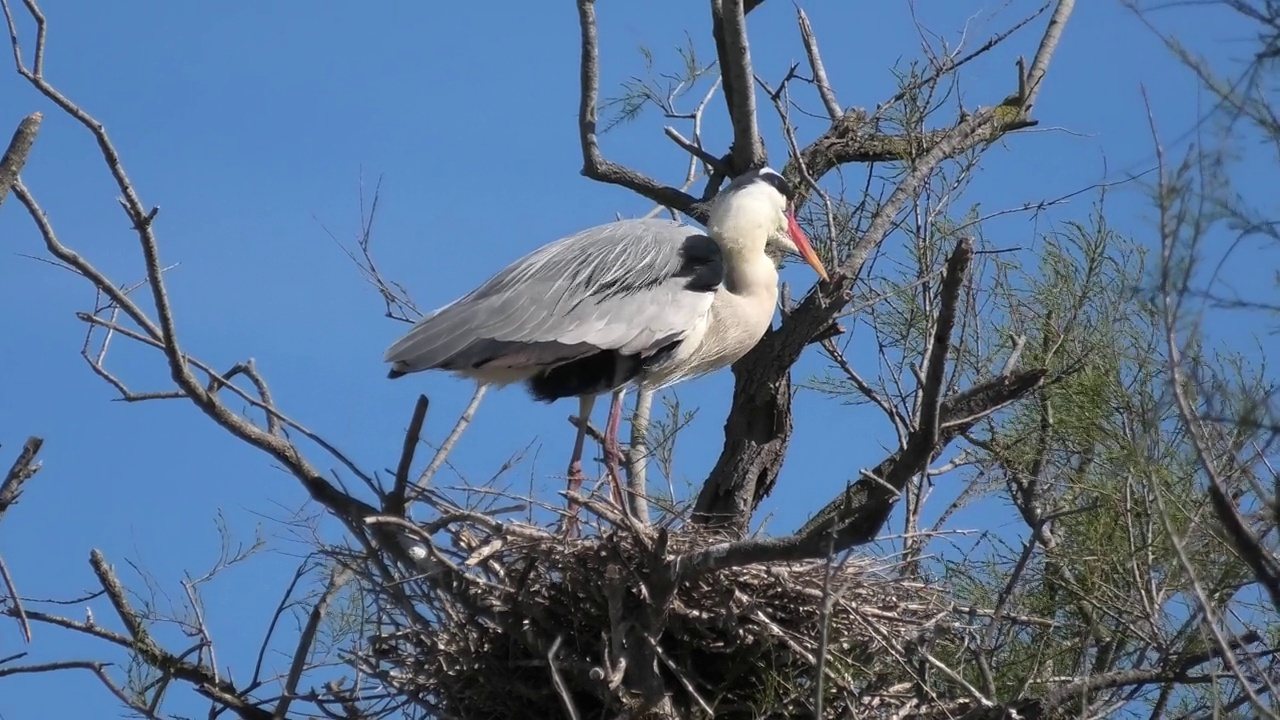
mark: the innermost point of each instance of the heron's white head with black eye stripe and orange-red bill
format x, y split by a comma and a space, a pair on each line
764, 198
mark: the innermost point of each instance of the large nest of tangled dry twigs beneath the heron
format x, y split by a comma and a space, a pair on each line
510, 621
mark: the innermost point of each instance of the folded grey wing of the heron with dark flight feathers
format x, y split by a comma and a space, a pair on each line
633, 288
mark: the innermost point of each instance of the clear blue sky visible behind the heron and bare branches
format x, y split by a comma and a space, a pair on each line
250, 125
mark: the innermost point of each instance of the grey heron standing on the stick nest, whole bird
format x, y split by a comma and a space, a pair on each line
644, 302
